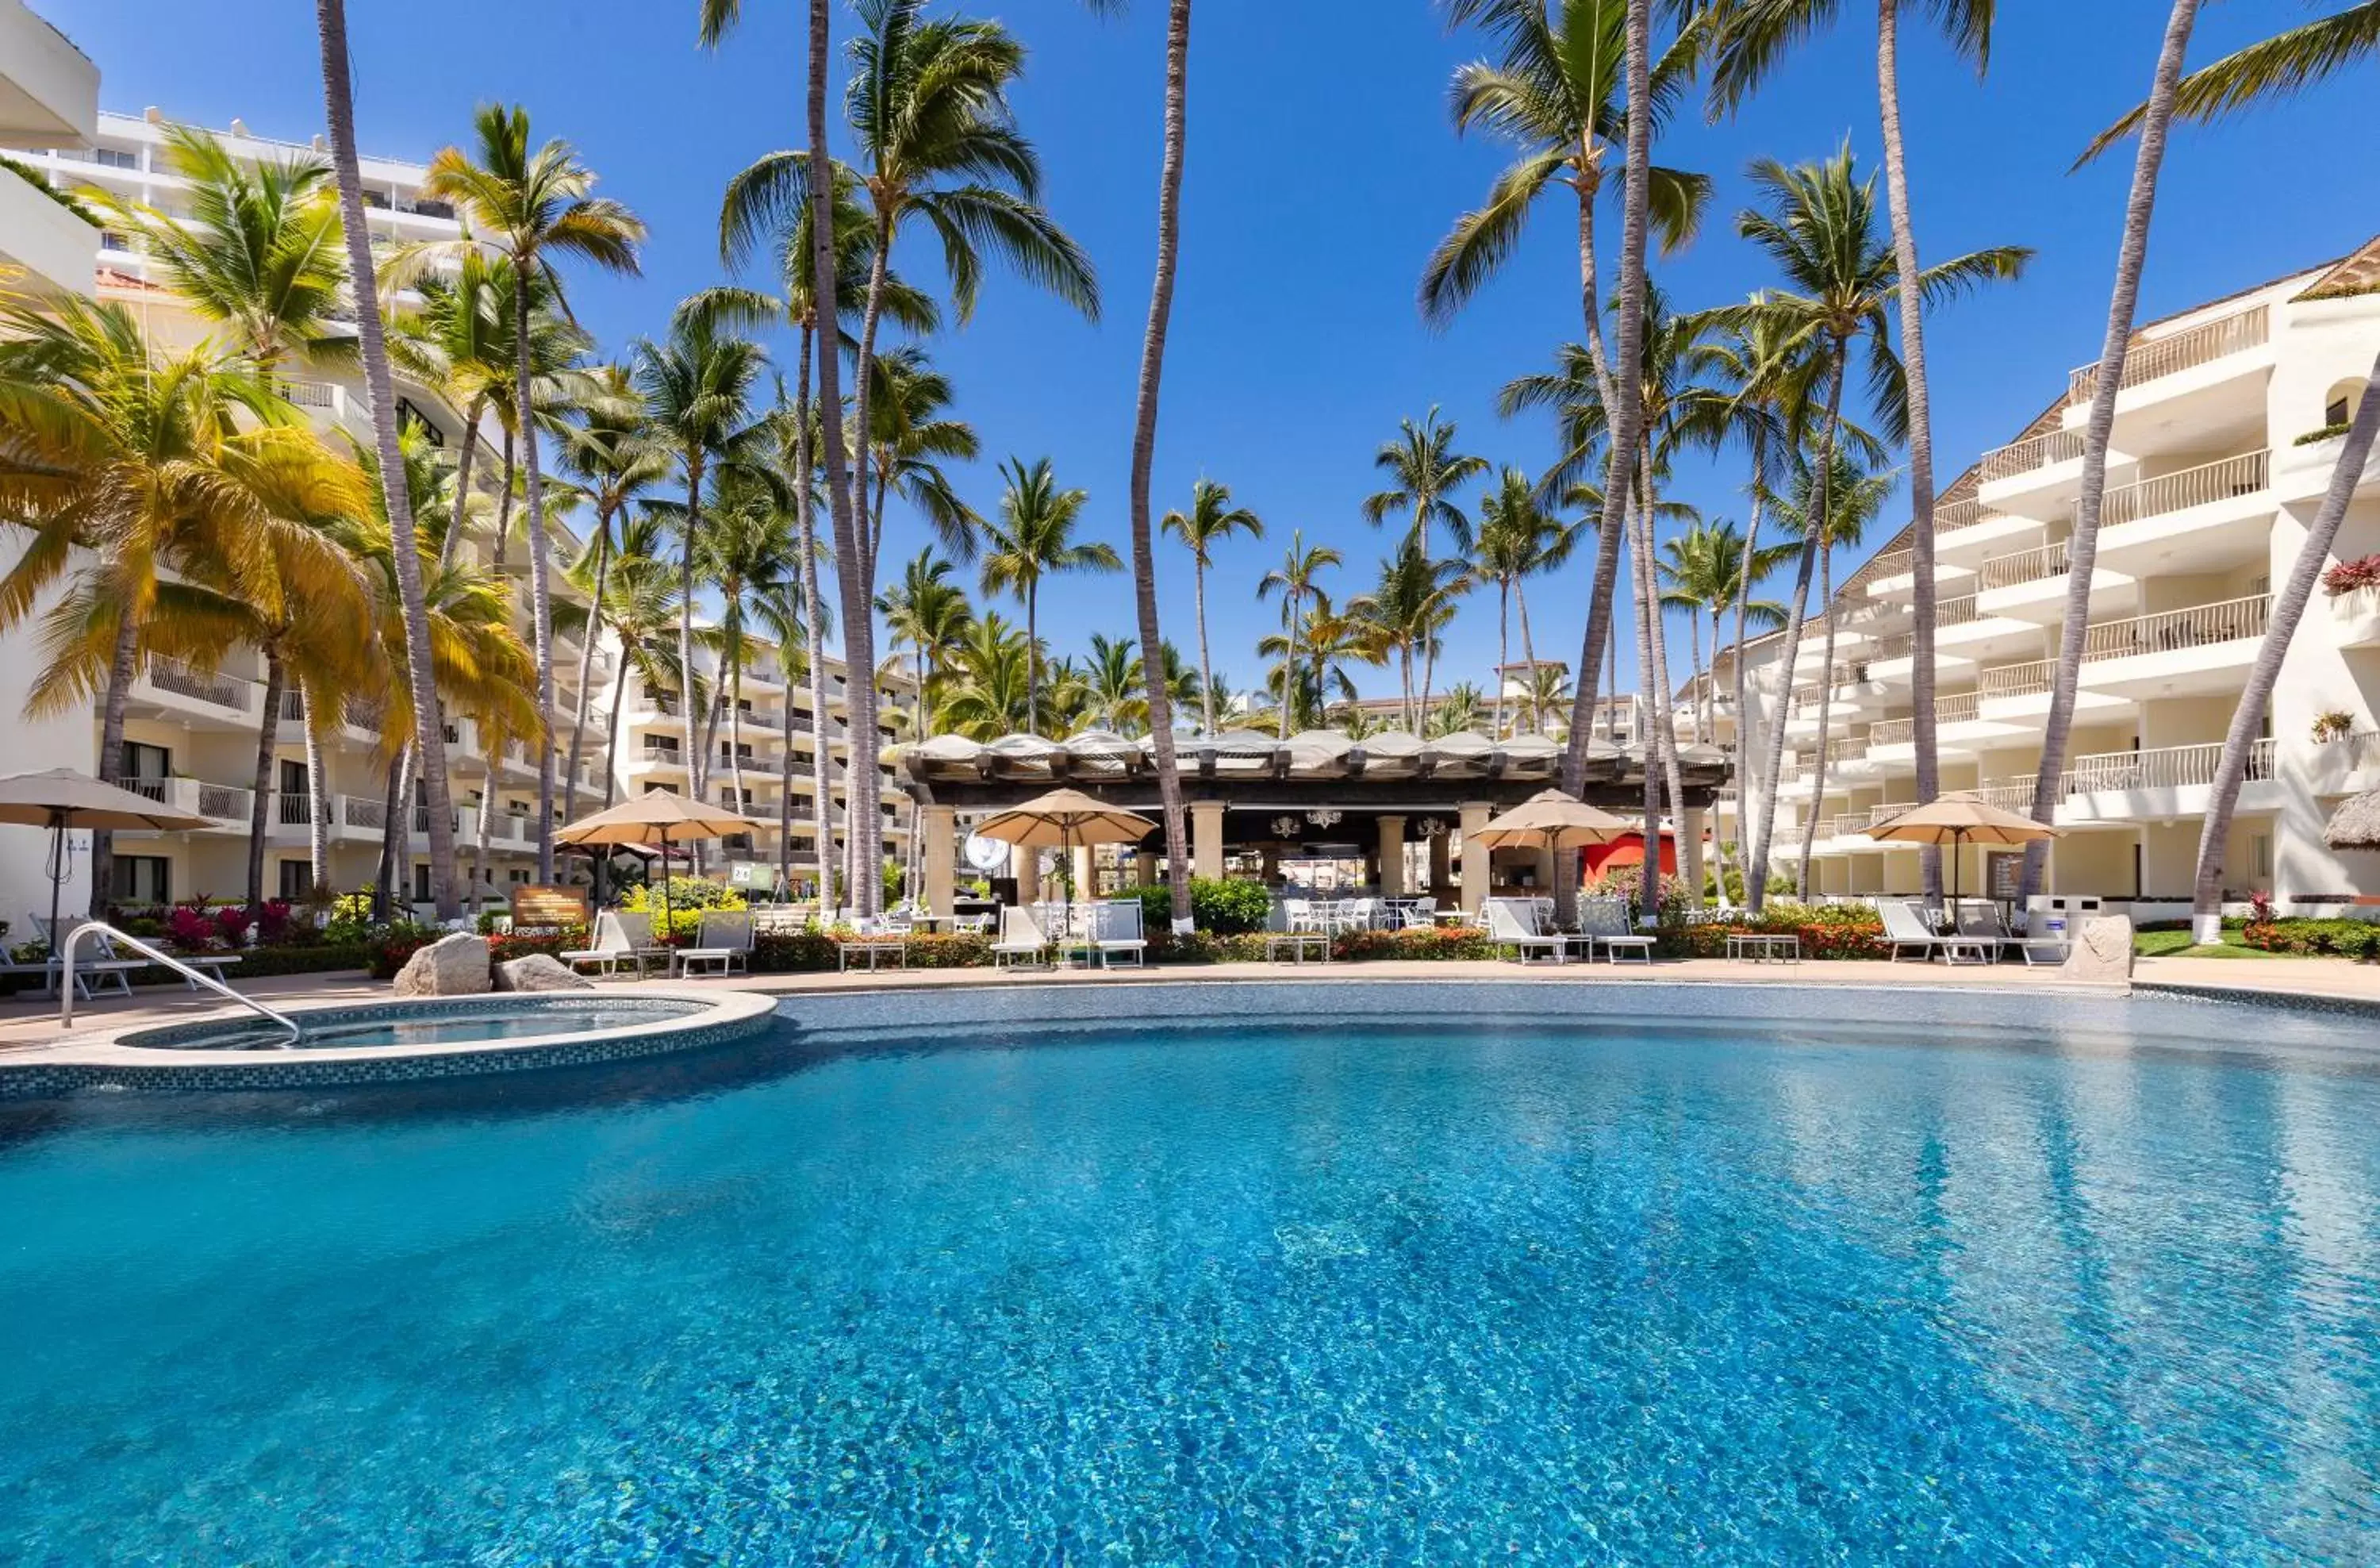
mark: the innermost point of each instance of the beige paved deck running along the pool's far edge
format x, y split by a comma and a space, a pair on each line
27, 1024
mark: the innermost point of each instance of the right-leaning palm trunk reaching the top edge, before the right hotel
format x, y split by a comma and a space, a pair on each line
2084, 548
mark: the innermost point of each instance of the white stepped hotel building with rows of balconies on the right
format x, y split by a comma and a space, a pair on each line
2226, 437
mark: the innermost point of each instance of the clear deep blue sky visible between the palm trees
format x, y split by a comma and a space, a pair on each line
1322, 173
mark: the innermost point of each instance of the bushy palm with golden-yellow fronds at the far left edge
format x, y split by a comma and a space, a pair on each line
127, 470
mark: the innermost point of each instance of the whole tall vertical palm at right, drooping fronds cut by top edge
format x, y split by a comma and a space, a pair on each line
1750, 39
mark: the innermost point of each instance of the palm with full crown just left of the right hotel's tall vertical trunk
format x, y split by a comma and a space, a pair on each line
1820, 232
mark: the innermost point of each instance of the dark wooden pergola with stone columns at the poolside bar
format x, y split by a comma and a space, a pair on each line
1263, 794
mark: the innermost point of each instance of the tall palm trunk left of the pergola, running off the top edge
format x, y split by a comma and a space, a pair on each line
858, 598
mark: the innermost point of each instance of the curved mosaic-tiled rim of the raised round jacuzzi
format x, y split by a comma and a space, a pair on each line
58, 1072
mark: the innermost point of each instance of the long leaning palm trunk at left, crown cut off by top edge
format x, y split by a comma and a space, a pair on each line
339, 104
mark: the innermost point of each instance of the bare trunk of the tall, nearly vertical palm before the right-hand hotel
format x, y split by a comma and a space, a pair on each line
1922, 525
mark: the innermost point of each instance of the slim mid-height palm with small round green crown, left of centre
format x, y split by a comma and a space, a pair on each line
699, 403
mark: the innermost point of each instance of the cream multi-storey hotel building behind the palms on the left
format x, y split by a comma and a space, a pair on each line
192, 734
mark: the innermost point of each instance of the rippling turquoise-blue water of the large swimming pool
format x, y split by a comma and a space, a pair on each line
1634, 1291
